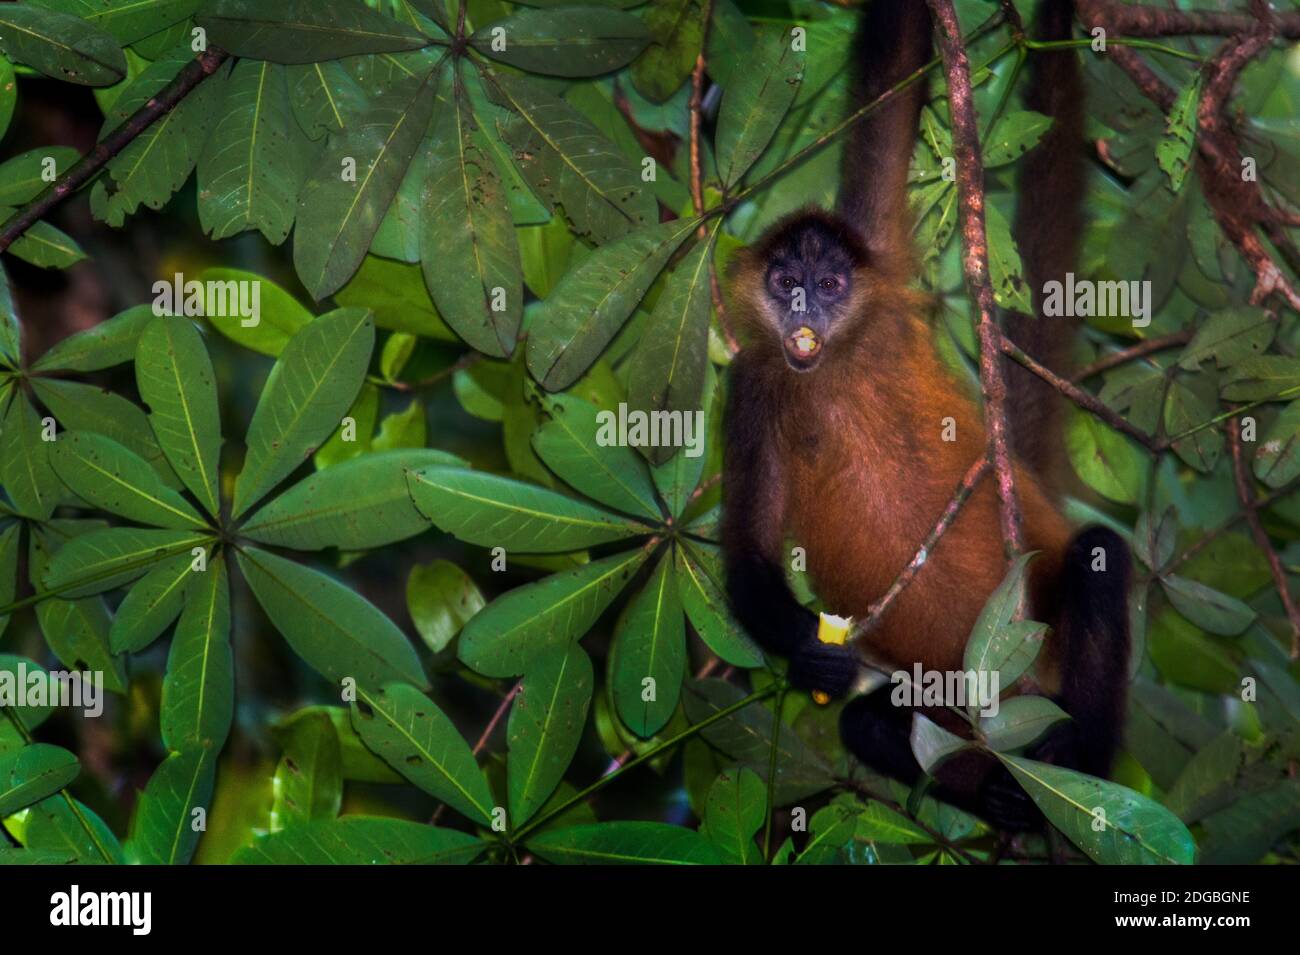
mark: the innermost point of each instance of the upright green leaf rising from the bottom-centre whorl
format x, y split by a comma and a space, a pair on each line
545, 727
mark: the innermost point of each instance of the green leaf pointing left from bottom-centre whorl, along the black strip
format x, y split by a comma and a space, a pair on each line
362, 841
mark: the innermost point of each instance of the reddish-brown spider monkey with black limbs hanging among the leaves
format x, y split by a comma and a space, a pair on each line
834, 422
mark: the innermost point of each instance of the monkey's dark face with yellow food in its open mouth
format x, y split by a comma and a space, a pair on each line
812, 267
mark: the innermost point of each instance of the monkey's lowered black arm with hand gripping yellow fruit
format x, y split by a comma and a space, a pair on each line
753, 532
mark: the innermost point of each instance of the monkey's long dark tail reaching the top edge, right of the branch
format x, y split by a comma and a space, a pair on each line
1048, 223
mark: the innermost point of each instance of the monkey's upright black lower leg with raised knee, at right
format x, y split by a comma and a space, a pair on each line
1095, 652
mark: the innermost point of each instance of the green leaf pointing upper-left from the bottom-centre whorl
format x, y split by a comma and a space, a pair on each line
418, 740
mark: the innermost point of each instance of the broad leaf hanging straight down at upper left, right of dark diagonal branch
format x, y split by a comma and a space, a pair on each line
253, 167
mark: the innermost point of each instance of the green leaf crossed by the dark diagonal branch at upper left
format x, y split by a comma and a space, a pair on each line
159, 160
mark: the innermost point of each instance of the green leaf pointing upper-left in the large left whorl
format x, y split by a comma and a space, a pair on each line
112, 479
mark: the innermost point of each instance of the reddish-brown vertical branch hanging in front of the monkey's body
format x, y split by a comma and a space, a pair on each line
970, 190
